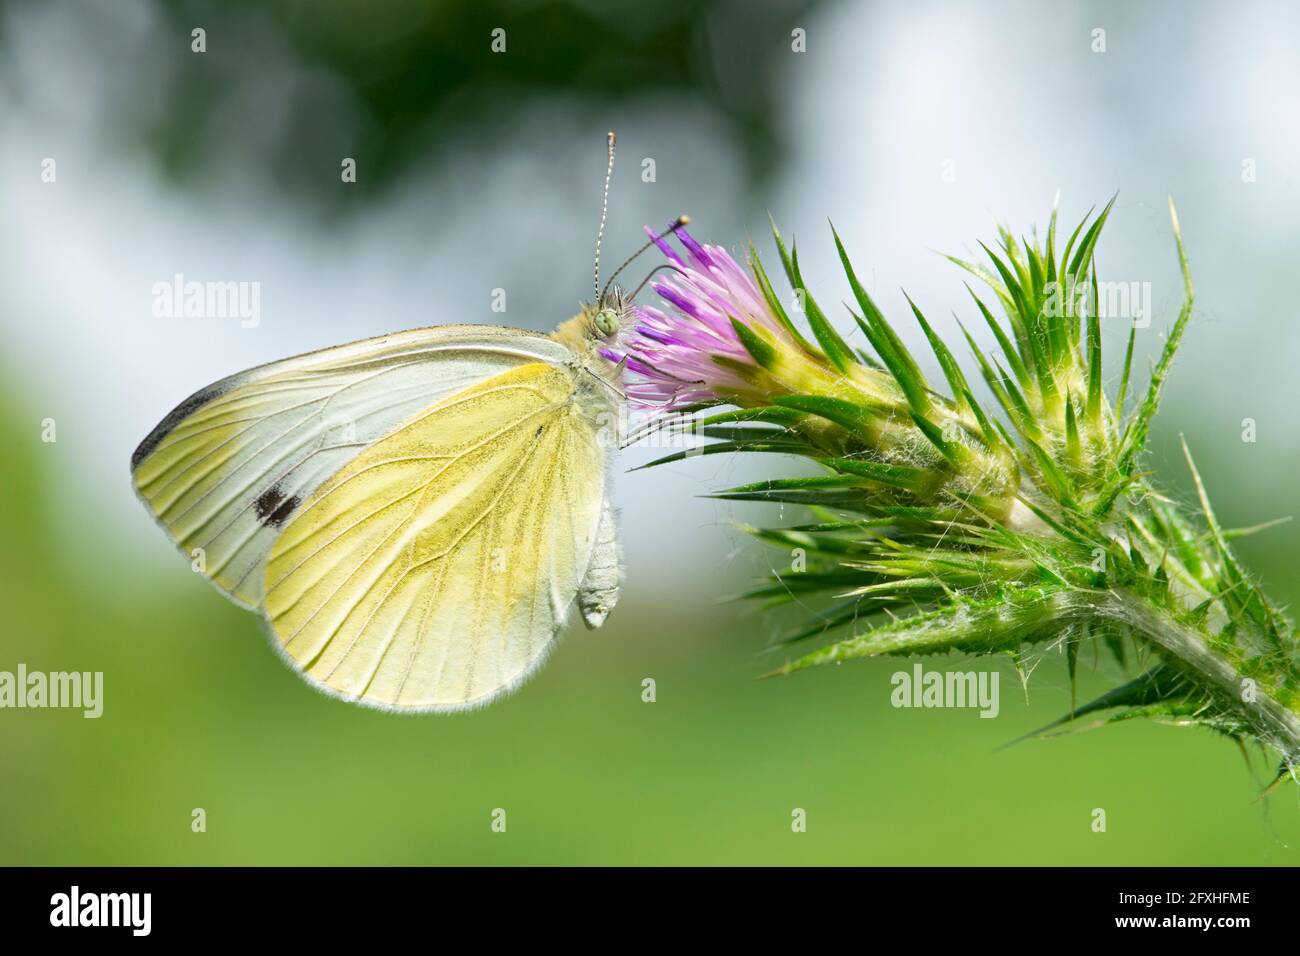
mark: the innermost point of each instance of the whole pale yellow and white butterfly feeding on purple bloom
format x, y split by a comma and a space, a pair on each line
414, 516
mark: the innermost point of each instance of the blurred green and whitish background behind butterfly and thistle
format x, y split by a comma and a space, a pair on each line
482, 171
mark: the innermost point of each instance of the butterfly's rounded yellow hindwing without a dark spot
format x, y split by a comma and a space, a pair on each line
436, 568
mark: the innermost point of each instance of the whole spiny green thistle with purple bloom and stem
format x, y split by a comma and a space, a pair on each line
943, 522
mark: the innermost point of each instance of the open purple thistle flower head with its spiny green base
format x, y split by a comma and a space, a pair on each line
727, 339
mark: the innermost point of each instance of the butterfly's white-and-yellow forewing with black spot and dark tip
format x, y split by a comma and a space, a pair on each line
228, 468
